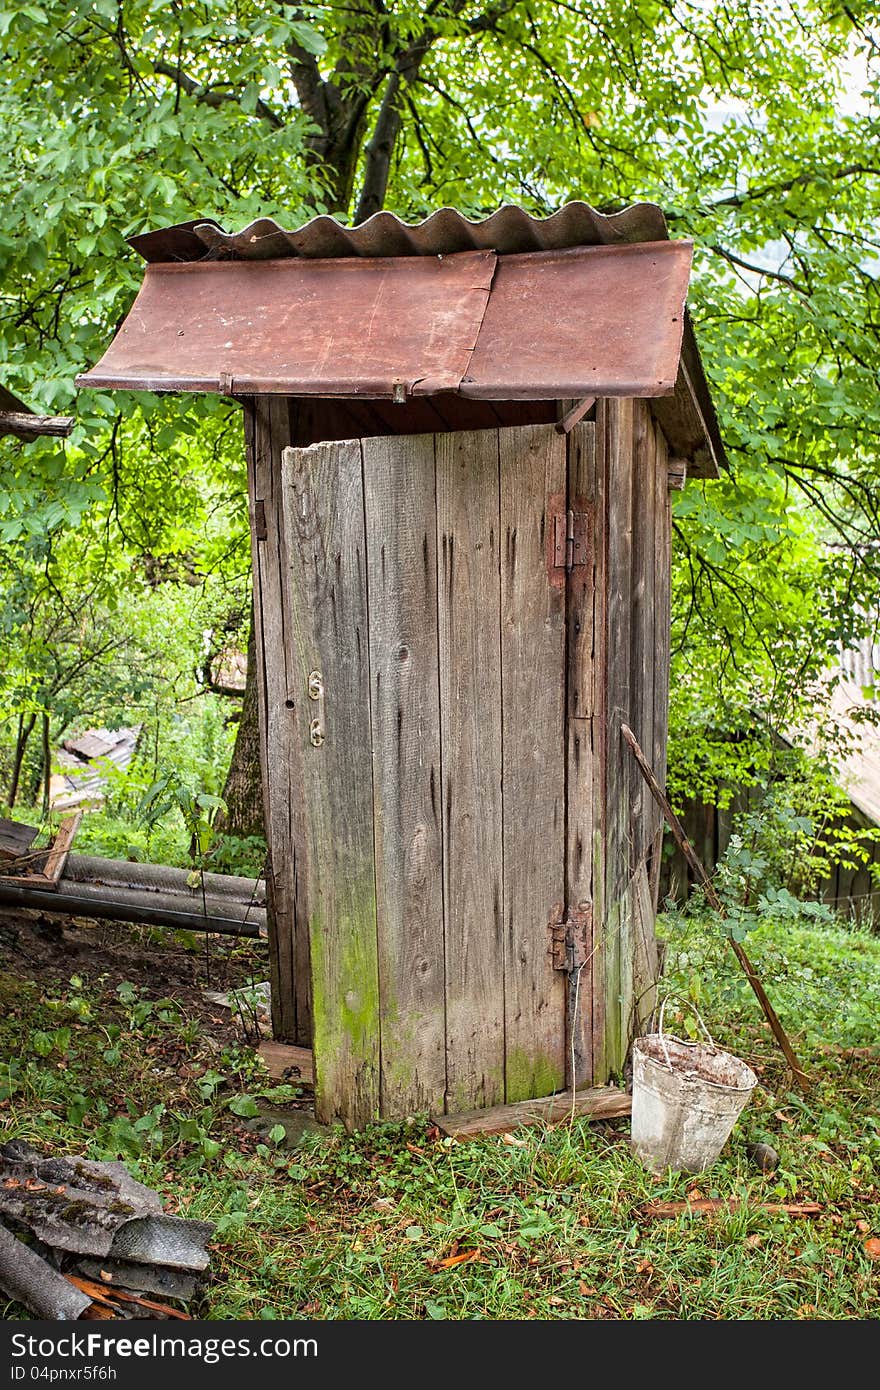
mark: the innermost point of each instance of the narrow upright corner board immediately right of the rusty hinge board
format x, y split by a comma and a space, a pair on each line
618, 949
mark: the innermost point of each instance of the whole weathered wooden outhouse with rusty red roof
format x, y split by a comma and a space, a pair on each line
461, 441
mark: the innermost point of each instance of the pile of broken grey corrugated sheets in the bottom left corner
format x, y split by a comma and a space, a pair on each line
97, 1243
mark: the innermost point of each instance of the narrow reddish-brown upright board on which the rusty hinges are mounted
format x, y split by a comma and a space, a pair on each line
583, 771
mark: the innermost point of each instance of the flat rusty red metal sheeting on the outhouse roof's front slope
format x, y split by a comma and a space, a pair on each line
535, 327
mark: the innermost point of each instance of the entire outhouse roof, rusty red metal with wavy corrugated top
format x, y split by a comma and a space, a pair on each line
508, 309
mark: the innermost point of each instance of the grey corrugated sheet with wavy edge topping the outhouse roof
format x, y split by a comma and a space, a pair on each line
508, 231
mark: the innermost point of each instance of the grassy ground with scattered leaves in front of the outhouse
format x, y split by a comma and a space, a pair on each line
402, 1224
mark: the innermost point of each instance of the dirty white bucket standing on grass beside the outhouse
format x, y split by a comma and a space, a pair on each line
686, 1100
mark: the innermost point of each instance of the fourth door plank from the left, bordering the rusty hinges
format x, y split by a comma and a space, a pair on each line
533, 653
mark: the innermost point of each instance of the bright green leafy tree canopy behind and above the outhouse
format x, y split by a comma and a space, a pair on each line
753, 124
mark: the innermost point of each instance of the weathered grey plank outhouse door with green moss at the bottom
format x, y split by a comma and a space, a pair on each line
441, 608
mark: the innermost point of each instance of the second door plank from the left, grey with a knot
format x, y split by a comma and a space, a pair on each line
400, 496
